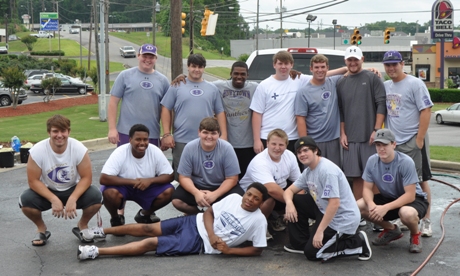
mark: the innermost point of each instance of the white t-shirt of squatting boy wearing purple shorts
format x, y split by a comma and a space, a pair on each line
122, 163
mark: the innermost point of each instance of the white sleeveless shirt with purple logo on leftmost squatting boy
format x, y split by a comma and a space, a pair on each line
59, 171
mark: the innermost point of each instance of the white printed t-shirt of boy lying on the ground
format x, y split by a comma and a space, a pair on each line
233, 224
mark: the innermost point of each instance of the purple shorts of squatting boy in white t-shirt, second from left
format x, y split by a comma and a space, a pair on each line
143, 198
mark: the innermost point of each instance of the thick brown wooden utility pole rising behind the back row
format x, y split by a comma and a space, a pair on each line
176, 38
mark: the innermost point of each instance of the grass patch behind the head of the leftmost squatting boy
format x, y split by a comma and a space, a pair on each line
33, 127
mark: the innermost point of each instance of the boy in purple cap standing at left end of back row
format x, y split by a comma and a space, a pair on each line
142, 88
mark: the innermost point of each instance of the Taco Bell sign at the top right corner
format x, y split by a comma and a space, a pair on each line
442, 19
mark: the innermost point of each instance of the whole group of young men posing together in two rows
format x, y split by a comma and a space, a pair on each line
226, 191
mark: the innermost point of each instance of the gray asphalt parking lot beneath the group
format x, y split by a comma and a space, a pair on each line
59, 256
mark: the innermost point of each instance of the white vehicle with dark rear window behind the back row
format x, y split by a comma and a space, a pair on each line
260, 63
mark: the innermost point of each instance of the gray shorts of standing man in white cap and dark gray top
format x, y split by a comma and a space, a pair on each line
355, 158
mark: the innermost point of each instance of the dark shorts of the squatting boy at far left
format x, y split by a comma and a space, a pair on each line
31, 199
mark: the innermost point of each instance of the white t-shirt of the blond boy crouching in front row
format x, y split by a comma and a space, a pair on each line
264, 170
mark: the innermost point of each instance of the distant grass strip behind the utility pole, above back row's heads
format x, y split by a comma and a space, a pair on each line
163, 44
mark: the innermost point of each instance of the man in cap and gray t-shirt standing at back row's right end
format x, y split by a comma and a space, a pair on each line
408, 116
